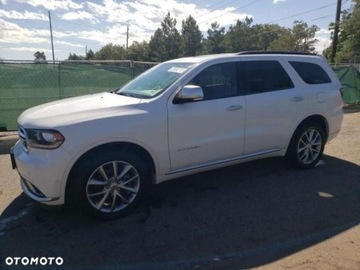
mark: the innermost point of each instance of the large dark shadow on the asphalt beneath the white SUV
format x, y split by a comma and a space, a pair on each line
242, 216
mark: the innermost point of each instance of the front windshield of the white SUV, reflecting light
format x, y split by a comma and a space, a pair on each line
155, 80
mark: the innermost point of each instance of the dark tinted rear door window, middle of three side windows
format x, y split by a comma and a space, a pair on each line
262, 76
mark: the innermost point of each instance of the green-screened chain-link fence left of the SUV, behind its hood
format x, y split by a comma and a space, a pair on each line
24, 84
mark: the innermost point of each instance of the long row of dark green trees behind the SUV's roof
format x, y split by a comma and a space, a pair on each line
167, 43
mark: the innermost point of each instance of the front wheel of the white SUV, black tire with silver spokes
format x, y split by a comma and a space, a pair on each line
101, 193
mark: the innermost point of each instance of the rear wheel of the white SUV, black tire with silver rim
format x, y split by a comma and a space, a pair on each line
306, 146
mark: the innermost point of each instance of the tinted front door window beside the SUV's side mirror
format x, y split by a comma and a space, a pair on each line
217, 81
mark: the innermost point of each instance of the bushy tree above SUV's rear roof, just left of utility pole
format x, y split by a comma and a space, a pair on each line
301, 38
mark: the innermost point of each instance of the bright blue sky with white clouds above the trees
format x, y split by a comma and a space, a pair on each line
81, 25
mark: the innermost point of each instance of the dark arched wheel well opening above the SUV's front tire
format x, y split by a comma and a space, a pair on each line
134, 148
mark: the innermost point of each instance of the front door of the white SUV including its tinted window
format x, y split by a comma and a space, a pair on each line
210, 130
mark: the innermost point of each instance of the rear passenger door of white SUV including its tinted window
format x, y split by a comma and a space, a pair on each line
273, 105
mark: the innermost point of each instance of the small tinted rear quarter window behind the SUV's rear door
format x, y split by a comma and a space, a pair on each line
311, 73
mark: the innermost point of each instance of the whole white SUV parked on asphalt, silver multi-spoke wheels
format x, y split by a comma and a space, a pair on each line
181, 117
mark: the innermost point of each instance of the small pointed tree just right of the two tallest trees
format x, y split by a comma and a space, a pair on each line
214, 43
